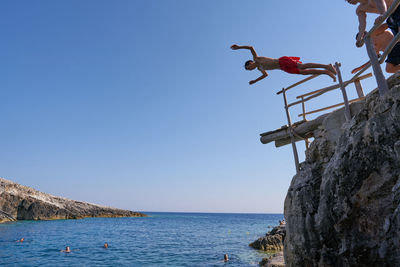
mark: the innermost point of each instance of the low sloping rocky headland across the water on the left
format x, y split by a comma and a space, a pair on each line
19, 202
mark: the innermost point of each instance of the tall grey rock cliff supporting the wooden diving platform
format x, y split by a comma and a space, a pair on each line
343, 207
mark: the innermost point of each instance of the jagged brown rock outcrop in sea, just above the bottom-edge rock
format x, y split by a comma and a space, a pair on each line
272, 241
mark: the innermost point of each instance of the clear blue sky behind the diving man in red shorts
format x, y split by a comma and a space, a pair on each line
142, 105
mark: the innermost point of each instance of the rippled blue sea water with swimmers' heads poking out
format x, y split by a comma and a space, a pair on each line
163, 239
